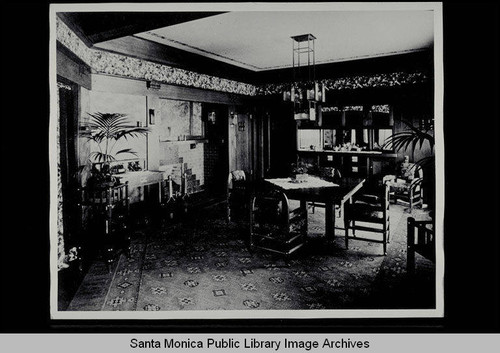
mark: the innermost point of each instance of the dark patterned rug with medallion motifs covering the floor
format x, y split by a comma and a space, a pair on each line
206, 265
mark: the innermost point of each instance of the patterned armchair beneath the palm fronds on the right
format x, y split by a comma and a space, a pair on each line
406, 186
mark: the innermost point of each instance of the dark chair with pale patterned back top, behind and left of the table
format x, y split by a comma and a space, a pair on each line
237, 195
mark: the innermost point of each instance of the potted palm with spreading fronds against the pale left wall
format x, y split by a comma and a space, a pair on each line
106, 129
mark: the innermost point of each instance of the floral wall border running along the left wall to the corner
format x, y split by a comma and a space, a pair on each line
120, 65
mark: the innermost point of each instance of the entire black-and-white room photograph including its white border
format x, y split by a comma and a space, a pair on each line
246, 160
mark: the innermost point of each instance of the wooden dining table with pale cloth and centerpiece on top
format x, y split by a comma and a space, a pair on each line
319, 190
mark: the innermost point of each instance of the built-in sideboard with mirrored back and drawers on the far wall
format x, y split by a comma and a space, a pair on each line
350, 139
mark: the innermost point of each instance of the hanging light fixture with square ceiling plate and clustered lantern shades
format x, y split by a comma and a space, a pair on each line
305, 92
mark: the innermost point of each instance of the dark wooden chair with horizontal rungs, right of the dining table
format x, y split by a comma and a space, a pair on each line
370, 205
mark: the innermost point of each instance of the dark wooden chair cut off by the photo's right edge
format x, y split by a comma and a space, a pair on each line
420, 242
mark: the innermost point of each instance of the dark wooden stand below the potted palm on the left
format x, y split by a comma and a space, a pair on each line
109, 212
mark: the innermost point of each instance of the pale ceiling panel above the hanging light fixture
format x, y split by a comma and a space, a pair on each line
259, 40
